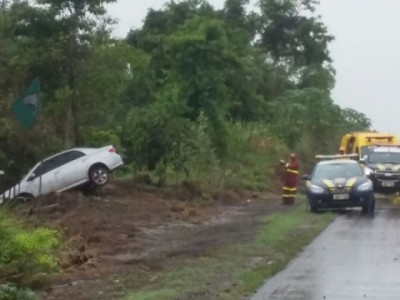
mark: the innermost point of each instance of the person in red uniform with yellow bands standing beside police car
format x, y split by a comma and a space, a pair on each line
290, 180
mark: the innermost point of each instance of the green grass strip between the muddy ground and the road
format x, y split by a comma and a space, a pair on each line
234, 271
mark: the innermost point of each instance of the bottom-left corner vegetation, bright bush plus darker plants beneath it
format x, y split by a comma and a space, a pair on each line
27, 255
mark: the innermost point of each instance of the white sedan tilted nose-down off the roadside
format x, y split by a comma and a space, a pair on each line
67, 170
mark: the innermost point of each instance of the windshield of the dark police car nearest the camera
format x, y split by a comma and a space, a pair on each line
337, 170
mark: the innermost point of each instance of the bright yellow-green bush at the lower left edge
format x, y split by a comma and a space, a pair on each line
25, 253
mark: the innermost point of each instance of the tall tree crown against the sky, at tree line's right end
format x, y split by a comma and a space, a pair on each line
293, 39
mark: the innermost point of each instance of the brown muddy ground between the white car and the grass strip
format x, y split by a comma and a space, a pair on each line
125, 229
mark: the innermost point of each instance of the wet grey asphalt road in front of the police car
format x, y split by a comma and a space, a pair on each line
356, 257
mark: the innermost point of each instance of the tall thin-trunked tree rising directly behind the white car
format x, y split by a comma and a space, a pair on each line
79, 23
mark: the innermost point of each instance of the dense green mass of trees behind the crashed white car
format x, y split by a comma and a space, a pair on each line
186, 97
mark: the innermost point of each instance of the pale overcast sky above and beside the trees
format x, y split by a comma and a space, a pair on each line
366, 51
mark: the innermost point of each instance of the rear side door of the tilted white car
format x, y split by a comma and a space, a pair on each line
70, 170
